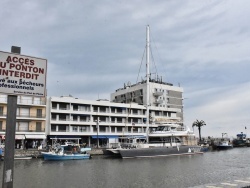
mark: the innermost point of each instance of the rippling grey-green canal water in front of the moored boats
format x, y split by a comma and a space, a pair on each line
102, 172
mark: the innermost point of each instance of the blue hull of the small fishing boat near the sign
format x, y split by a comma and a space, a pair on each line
56, 157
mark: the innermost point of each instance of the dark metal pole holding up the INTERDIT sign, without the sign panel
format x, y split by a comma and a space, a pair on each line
8, 170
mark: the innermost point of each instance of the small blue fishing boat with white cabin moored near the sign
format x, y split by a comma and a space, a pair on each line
66, 152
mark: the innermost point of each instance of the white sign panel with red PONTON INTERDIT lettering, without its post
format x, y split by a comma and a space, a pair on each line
22, 75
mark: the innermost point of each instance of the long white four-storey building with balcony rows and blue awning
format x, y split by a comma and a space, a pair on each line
76, 119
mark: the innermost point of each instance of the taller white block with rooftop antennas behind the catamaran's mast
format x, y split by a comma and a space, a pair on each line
165, 100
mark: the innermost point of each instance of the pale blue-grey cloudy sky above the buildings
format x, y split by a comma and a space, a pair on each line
94, 47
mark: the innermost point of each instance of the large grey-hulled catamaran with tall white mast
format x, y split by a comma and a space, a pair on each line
167, 139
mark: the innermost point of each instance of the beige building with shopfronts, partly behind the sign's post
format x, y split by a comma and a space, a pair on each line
30, 121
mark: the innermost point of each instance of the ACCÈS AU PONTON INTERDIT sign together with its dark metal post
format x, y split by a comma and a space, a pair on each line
19, 75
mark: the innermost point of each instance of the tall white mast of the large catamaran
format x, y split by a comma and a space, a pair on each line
148, 75
